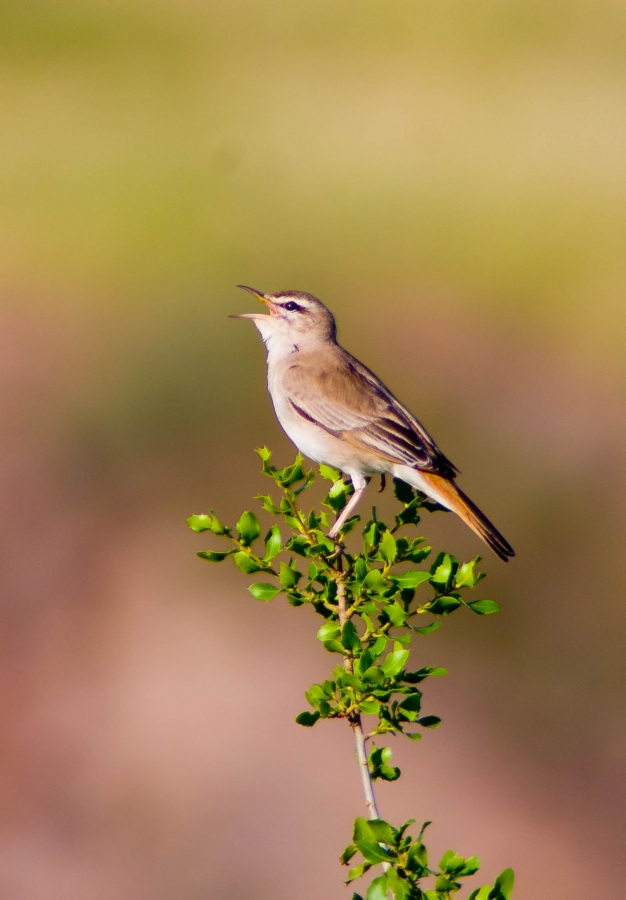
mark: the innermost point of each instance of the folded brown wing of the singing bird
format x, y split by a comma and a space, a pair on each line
345, 398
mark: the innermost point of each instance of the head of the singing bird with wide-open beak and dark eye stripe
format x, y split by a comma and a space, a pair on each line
294, 317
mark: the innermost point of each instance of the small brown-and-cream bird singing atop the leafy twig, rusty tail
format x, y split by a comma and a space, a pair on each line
338, 412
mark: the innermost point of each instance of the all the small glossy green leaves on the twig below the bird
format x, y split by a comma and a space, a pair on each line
374, 598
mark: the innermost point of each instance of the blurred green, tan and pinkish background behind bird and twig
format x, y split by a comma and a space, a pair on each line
450, 178
